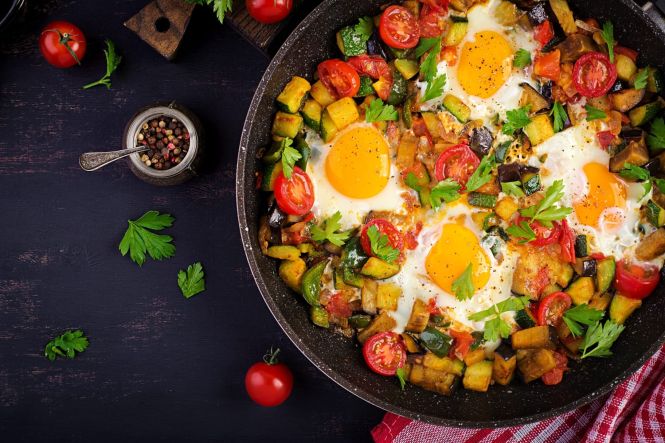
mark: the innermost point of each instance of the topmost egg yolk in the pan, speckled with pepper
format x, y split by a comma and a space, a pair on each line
485, 64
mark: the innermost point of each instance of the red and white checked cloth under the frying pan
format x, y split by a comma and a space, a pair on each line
633, 412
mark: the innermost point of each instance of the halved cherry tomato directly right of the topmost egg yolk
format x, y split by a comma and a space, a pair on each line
594, 74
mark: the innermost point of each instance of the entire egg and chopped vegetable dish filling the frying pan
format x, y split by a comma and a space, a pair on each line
471, 190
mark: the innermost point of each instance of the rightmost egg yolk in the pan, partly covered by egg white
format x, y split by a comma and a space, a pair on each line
605, 192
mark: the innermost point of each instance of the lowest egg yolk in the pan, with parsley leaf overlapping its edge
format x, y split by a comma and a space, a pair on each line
451, 254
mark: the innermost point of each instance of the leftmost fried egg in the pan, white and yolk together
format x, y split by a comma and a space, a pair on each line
354, 174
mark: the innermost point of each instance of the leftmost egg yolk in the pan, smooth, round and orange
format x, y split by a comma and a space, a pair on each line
358, 164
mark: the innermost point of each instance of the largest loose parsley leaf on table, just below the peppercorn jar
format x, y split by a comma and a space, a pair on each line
139, 238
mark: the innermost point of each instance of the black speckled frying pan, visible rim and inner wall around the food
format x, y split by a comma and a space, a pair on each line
340, 358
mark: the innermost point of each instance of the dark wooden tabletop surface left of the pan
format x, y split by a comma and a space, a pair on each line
159, 367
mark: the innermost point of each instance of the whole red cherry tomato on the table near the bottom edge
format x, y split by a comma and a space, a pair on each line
269, 383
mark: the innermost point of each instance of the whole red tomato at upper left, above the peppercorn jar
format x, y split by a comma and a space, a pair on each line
62, 44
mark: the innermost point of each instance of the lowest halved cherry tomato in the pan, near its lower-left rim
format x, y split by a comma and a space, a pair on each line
384, 353
